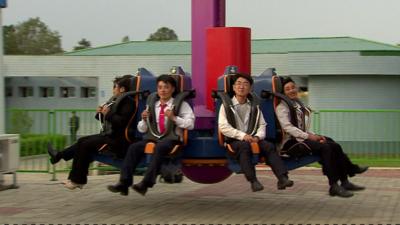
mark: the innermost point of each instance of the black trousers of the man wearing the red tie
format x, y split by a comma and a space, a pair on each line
136, 153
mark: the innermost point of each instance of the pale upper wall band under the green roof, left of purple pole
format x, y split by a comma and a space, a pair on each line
103, 67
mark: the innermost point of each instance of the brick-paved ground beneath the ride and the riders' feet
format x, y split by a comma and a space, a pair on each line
40, 201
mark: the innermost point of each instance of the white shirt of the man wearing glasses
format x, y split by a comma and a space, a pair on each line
242, 123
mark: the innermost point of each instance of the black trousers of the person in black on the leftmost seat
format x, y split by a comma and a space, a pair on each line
82, 152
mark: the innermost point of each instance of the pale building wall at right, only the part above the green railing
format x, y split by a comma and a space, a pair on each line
354, 92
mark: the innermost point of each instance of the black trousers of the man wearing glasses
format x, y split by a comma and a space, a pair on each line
244, 154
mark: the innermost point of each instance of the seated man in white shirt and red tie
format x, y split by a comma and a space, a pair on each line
162, 116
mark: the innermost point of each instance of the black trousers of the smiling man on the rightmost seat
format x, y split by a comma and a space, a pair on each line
336, 165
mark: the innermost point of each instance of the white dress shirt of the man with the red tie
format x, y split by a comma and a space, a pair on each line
184, 120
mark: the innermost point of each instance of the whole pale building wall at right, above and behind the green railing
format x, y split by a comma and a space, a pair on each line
362, 113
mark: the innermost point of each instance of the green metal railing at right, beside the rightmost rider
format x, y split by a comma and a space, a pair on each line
364, 133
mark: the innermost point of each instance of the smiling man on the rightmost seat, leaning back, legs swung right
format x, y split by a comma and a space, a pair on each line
336, 165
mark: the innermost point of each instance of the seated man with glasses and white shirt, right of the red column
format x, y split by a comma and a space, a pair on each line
240, 138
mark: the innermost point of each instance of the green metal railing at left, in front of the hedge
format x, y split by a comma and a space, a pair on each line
45, 126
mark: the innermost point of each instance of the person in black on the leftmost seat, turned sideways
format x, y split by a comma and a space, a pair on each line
115, 115
